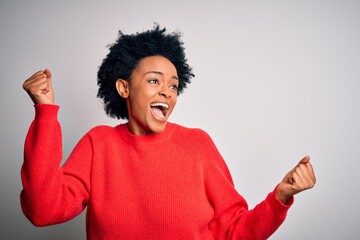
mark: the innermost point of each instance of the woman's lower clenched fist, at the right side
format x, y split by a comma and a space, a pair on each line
300, 178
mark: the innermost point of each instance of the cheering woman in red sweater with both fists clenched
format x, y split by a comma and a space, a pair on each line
148, 178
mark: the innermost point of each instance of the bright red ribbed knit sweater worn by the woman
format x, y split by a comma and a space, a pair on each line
172, 185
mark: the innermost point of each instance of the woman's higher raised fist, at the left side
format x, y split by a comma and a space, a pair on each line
39, 87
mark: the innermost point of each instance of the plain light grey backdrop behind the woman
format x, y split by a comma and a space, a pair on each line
275, 81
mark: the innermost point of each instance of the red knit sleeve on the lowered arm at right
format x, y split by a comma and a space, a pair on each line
232, 218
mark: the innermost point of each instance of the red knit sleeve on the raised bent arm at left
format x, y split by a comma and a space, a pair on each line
52, 194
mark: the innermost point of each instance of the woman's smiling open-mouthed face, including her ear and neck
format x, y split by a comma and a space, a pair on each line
150, 94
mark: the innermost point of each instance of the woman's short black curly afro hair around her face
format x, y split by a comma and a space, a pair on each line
125, 55
